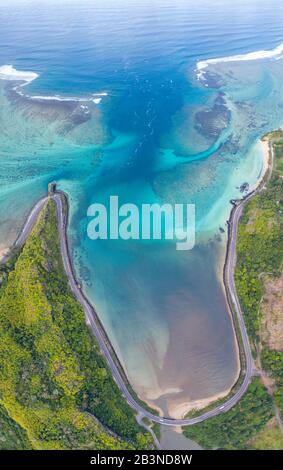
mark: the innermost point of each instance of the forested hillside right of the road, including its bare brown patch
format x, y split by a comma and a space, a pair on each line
259, 273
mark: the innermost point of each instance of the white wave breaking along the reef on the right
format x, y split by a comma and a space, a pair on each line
273, 53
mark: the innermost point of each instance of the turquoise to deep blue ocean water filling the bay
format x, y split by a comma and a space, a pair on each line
159, 135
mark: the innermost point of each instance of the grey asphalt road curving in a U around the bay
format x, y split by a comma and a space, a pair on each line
96, 328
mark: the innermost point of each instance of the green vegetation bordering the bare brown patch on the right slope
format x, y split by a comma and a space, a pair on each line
260, 251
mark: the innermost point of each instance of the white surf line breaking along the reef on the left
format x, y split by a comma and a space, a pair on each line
8, 72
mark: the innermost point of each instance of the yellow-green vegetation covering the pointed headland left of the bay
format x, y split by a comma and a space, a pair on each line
52, 374
